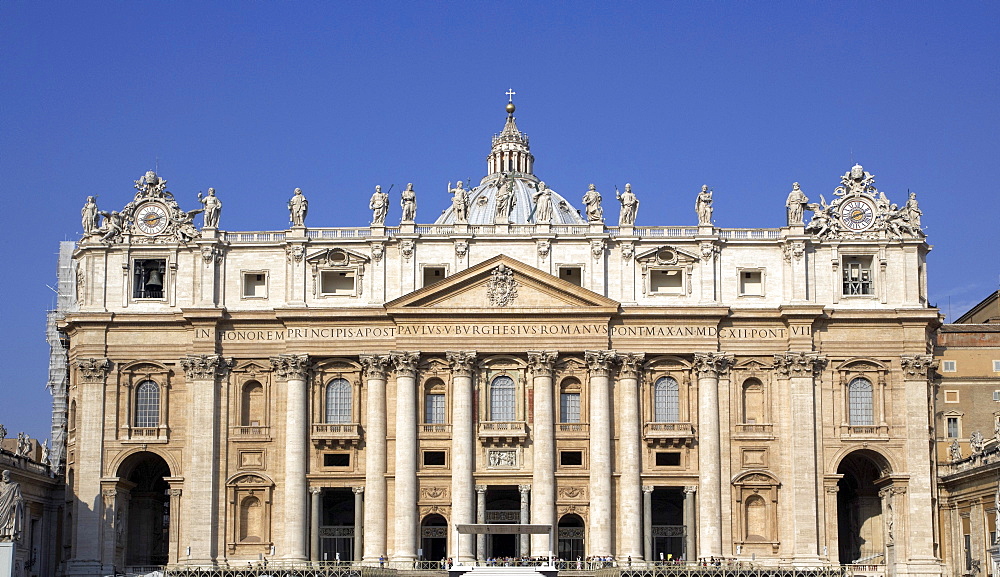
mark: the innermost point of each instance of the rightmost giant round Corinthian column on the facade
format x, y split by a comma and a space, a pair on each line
709, 366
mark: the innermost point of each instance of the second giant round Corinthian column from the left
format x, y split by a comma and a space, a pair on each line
375, 453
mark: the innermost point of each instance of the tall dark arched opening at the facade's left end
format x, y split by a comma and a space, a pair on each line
146, 505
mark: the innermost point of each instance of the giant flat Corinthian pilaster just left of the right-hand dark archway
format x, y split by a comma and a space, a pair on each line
801, 369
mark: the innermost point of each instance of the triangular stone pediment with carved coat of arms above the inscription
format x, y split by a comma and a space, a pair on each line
502, 284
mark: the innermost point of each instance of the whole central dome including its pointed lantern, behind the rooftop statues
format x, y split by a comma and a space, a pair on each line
510, 160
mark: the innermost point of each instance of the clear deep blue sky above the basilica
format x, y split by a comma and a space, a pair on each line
258, 98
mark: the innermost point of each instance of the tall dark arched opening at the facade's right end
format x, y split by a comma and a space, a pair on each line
859, 508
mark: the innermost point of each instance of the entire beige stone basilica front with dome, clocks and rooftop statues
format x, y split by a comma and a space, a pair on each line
353, 393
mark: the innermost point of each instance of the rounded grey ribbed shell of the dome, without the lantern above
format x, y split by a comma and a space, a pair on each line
483, 203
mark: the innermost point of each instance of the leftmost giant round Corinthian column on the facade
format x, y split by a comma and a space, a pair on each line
294, 370
